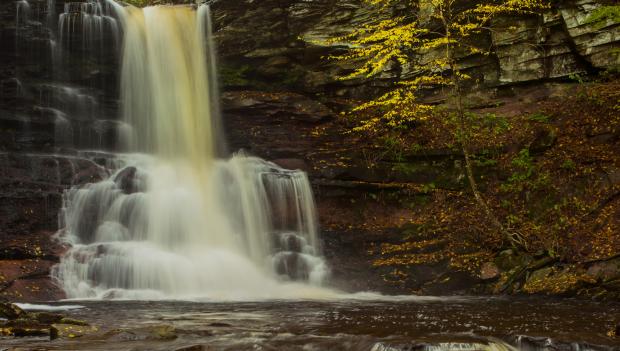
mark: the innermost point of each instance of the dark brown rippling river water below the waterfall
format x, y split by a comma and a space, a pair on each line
432, 323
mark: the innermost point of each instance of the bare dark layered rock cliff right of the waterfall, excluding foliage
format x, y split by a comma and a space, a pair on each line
270, 53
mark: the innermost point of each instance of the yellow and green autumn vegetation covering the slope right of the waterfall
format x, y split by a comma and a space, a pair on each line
544, 177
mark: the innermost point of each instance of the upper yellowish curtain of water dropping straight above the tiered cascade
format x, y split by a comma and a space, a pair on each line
164, 83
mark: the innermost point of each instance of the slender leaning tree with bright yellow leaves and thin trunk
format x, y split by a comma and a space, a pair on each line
430, 43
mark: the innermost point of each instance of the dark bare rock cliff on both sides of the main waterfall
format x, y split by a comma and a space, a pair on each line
281, 100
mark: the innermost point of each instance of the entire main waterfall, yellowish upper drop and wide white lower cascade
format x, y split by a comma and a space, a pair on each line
177, 221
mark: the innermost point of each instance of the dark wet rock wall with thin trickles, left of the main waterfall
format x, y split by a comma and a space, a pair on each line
57, 94
